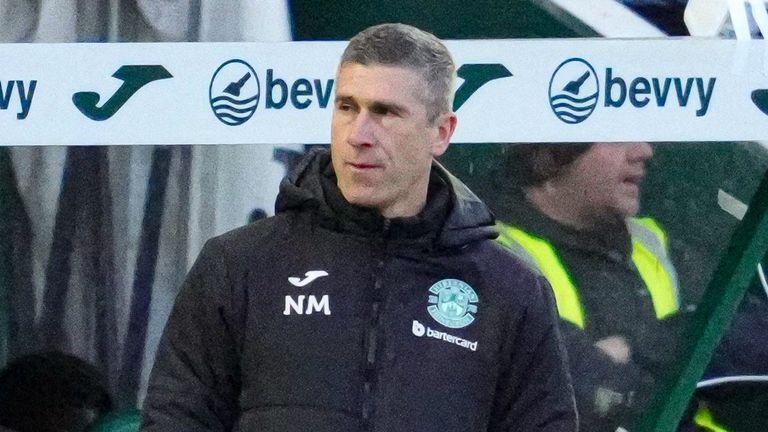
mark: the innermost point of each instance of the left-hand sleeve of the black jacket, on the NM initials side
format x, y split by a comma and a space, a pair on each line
195, 380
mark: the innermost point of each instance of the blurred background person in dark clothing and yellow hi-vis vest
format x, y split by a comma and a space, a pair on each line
571, 214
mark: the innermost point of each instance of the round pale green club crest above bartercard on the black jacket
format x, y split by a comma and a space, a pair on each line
453, 303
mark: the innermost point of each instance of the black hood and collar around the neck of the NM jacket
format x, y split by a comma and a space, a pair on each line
453, 216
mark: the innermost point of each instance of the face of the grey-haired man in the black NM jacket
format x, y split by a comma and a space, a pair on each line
382, 143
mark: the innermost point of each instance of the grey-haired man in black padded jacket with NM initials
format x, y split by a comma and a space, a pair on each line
375, 298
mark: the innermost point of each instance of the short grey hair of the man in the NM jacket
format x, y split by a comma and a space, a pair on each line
406, 46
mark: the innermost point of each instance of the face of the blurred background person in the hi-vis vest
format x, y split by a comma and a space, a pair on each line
607, 177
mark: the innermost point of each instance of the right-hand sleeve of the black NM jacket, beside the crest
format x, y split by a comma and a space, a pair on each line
535, 393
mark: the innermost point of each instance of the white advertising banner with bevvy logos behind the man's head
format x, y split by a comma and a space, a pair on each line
574, 90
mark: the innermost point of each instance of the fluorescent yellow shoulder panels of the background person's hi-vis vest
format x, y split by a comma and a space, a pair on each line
649, 254
